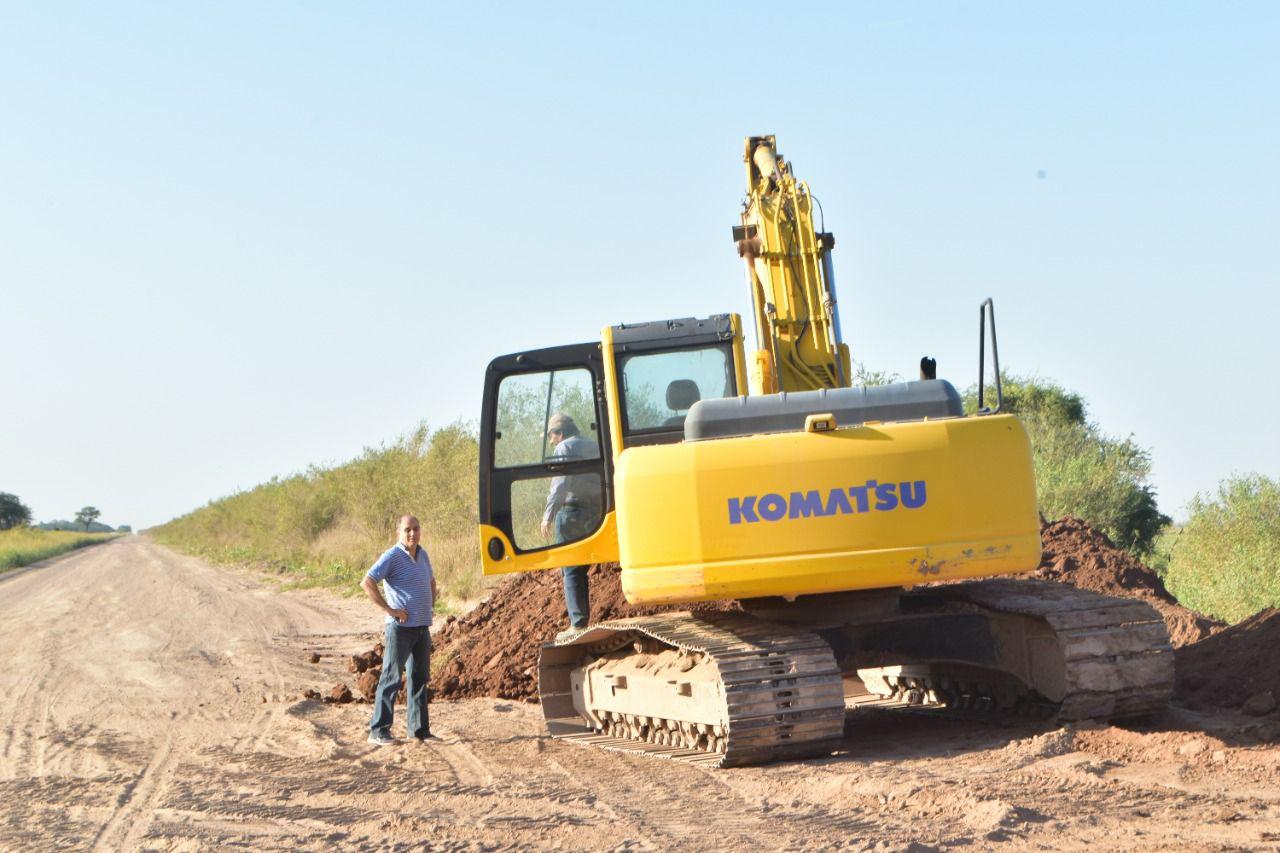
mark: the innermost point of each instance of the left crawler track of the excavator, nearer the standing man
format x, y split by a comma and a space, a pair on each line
781, 697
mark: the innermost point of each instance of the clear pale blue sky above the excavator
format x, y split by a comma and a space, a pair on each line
241, 239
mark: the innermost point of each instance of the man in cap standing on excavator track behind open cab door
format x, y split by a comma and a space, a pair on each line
573, 509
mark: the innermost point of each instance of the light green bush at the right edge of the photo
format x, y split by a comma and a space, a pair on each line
1226, 560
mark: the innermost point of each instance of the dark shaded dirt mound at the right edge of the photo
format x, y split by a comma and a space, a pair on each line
1235, 665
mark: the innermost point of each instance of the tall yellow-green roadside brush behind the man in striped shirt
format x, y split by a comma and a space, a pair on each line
326, 527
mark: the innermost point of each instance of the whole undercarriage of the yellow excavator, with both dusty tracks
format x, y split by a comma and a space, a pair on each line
743, 688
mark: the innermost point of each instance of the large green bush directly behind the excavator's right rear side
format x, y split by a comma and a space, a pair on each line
1080, 471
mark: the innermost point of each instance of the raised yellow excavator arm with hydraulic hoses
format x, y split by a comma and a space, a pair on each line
792, 280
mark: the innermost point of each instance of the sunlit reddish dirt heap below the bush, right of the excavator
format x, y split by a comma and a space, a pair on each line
1078, 555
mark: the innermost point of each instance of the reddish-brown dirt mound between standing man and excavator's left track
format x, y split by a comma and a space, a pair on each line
495, 649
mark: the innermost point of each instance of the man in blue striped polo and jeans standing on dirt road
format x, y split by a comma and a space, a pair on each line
406, 572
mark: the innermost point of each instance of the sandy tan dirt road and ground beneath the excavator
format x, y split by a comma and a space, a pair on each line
134, 718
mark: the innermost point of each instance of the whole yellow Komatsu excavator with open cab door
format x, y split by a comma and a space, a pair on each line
863, 531
